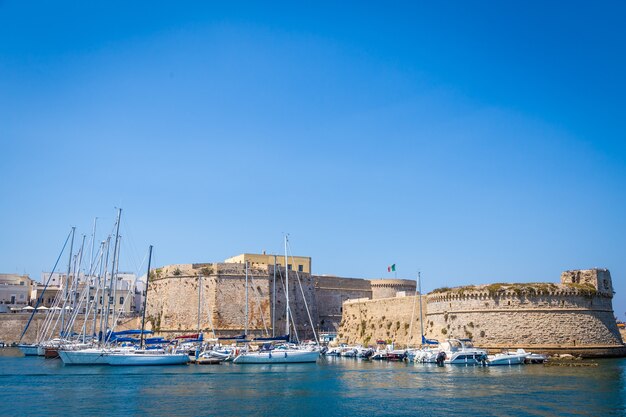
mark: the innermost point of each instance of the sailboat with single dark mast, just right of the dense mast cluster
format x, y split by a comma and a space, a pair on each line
144, 356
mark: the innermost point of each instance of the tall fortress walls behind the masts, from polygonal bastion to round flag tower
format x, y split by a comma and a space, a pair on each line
174, 298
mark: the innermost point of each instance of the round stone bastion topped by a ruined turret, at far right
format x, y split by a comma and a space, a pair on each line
575, 314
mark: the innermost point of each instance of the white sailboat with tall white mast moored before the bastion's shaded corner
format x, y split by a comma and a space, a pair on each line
284, 353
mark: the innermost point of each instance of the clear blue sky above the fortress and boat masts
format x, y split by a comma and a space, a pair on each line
475, 143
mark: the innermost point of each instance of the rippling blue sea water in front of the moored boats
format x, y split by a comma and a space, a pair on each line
33, 386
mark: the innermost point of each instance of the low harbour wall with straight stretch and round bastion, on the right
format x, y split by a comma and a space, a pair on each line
575, 316
